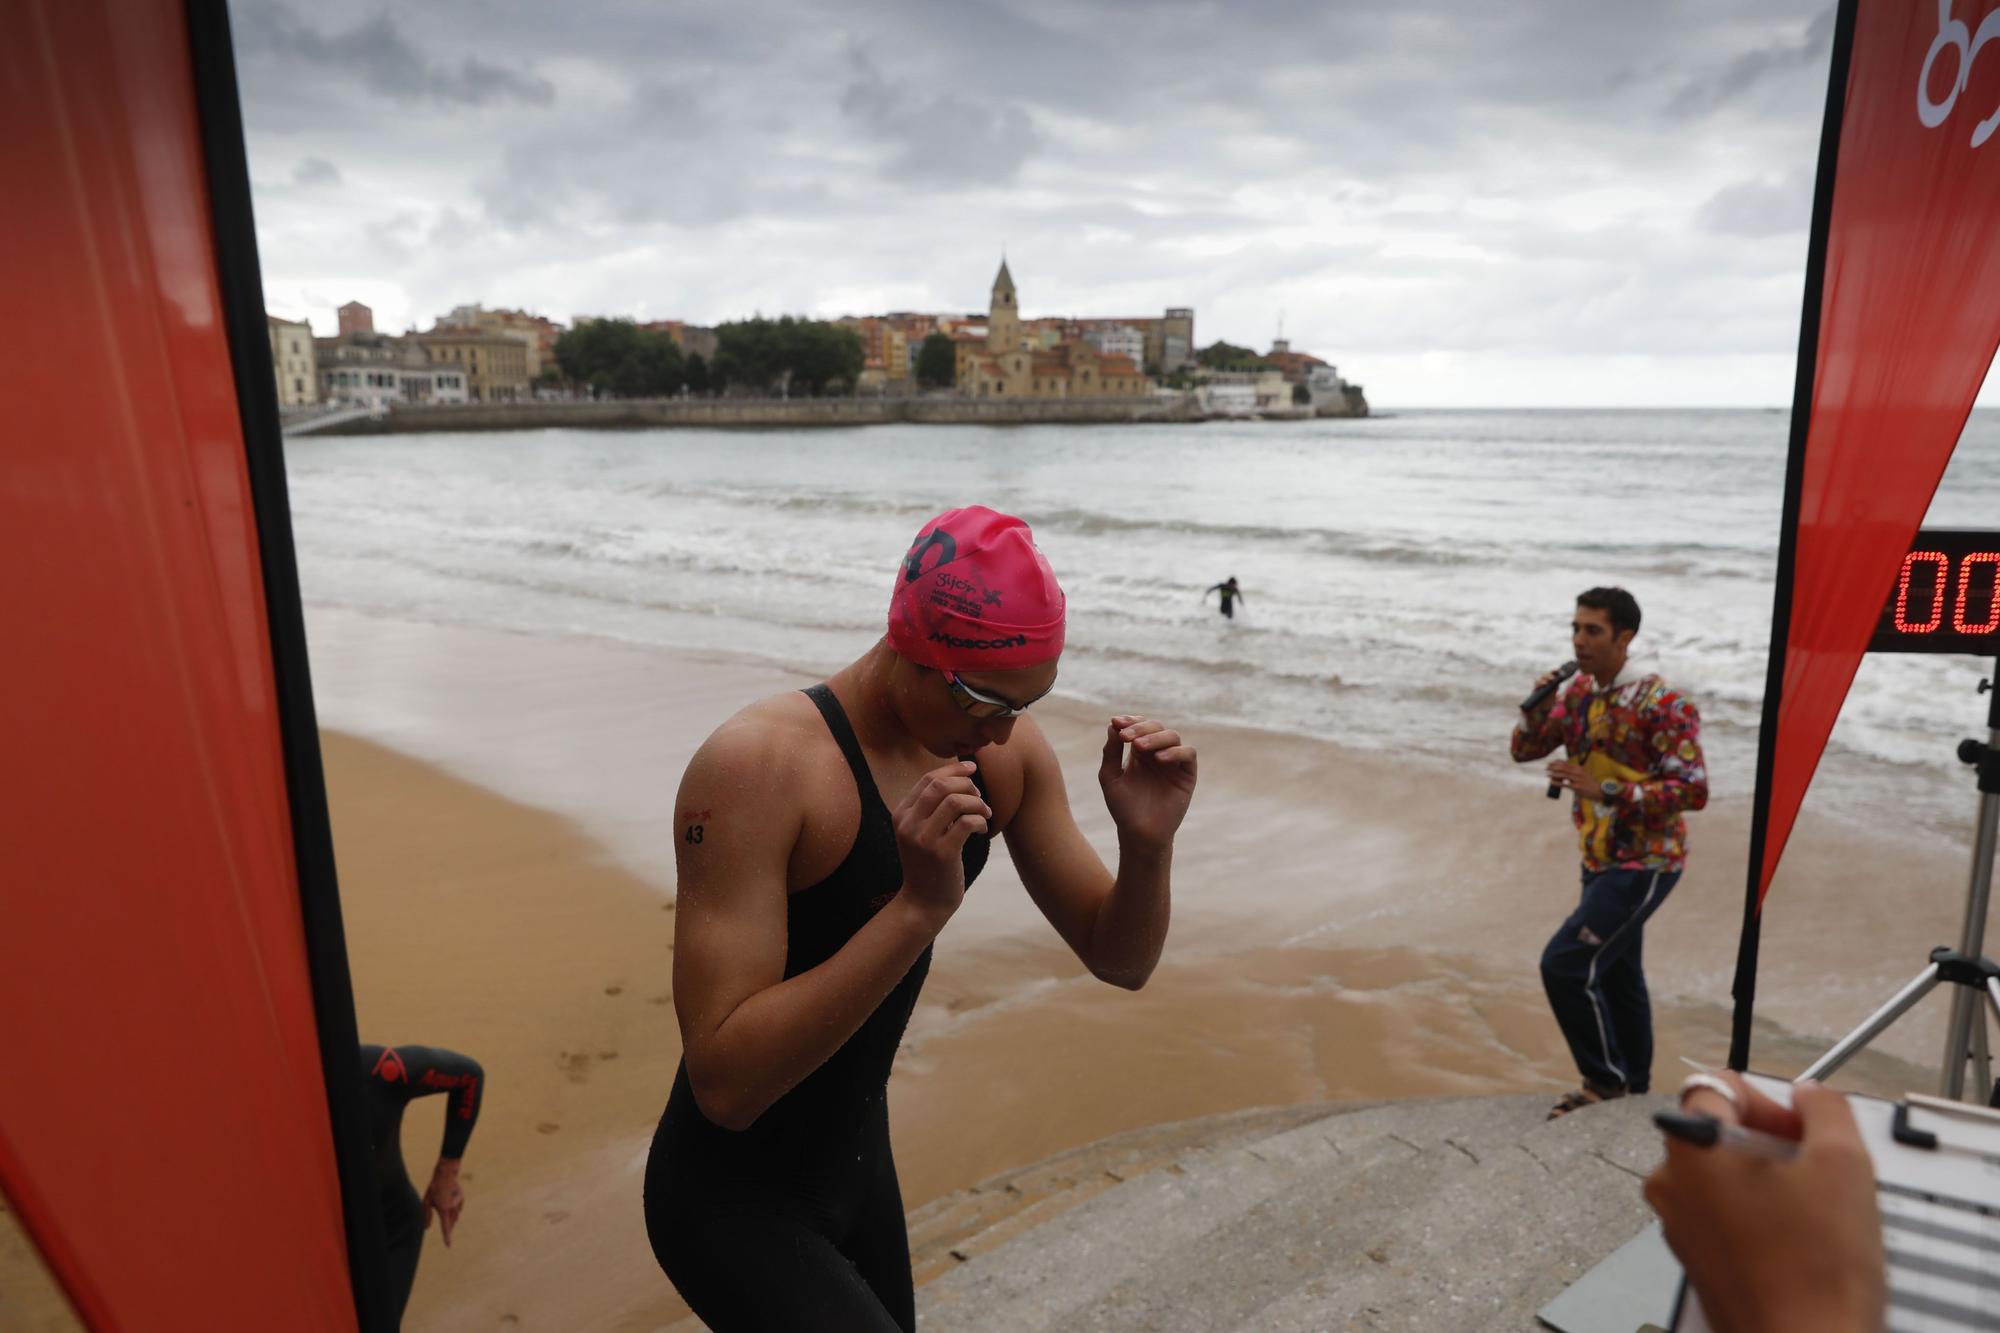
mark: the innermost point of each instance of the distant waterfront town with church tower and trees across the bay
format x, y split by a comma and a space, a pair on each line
477, 355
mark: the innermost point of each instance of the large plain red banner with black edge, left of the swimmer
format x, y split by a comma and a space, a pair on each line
181, 1126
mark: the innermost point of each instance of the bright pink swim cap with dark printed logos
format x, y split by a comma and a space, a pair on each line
975, 593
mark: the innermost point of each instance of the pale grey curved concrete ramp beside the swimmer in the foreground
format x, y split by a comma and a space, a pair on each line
1429, 1216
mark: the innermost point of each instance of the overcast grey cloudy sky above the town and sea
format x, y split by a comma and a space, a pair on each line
1455, 201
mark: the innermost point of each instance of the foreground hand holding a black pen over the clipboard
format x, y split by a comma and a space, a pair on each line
1771, 1210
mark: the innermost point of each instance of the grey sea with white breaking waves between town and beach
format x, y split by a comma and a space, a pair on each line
1405, 577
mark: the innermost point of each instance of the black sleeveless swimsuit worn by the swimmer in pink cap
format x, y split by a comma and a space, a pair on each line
797, 1222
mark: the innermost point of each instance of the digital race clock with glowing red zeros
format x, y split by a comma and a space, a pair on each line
1943, 599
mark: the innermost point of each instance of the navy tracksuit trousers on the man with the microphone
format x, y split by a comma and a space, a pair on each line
1593, 976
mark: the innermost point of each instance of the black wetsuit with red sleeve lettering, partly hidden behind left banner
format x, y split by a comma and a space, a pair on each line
395, 1076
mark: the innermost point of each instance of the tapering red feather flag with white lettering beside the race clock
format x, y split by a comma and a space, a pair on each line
1901, 323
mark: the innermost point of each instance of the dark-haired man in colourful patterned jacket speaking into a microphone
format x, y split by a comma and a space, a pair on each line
1635, 766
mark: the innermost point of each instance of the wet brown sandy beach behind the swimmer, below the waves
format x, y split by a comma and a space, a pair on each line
1347, 928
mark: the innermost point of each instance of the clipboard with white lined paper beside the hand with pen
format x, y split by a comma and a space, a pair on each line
1939, 1188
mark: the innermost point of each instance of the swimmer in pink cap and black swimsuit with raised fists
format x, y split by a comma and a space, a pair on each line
821, 850
